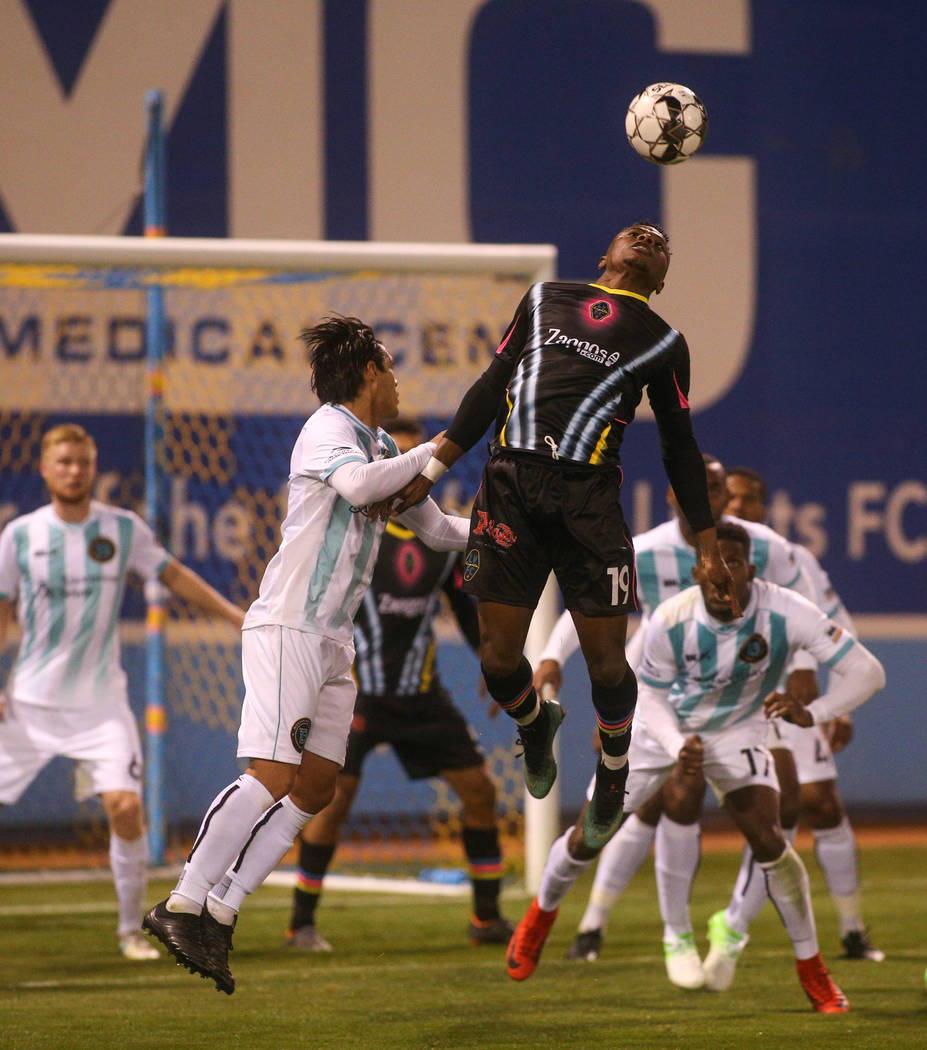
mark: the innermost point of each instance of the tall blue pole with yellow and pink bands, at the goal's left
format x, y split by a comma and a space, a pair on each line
156, 713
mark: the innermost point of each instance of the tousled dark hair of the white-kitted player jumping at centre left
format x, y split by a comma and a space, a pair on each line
340, 351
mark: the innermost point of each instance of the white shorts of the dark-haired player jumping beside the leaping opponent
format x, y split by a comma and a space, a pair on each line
299, 696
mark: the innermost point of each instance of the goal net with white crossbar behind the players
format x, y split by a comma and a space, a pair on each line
74, 344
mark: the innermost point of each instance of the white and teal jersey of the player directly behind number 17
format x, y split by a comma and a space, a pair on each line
664, 561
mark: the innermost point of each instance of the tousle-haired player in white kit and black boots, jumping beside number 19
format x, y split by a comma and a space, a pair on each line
298, 643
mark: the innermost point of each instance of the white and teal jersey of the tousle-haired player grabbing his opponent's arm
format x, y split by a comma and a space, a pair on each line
318, 579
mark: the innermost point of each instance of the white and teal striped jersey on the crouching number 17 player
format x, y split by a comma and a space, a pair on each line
718, 675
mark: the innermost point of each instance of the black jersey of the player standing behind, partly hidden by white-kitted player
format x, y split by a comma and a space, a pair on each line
394, 631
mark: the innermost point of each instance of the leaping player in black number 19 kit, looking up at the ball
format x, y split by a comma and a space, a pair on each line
565, 383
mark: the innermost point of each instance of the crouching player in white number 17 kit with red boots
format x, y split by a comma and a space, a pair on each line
708, 687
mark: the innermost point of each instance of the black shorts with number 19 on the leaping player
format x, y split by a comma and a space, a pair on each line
532, 517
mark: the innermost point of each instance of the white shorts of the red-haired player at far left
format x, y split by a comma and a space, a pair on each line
104, 744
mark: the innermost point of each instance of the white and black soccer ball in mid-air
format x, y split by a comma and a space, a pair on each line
666, 123
